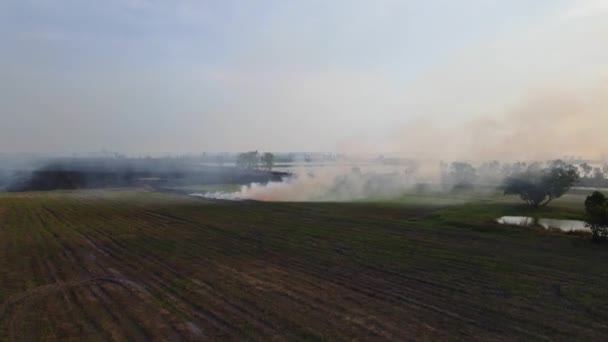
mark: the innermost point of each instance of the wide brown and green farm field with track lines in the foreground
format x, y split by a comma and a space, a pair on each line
139, 265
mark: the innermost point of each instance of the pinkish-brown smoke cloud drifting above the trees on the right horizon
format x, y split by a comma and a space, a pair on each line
546, 125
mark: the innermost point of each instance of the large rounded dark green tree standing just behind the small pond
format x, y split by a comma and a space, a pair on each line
538, 187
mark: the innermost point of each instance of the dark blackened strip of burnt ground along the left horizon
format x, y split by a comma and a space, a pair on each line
112, 173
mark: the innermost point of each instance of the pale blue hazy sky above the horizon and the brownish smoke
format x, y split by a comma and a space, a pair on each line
142, 76
